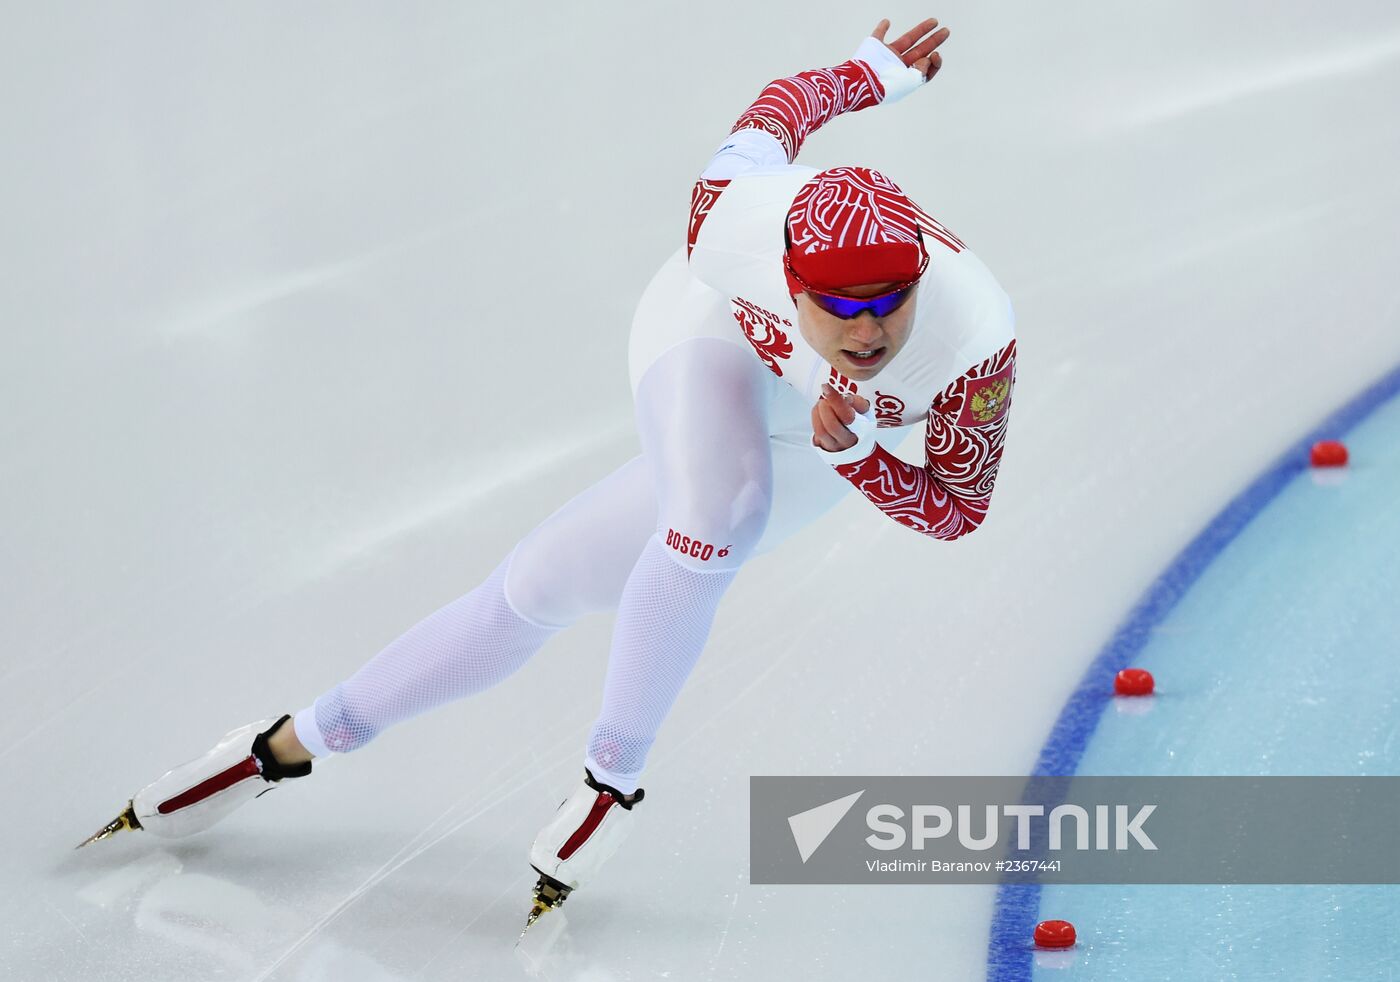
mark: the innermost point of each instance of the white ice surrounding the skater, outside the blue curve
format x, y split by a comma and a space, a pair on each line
313, 310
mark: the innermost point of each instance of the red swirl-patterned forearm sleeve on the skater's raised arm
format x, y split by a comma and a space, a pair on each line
793, 109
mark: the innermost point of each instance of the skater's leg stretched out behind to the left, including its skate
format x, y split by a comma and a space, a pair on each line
575, 562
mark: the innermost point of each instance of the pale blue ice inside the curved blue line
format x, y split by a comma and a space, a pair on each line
1280, 661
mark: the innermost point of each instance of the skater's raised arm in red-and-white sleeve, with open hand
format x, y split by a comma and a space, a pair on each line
772, 131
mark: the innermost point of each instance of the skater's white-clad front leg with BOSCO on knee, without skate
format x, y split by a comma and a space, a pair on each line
702, 414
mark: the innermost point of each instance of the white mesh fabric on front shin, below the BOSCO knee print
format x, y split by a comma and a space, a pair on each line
663, 624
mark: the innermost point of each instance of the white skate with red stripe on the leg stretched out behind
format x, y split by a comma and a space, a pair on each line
199, 794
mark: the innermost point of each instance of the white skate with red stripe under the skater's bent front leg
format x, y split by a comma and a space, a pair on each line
584, 834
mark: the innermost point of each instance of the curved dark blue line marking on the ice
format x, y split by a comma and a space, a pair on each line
1010, 952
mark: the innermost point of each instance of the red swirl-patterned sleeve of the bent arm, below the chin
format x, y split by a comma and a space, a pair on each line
951, 494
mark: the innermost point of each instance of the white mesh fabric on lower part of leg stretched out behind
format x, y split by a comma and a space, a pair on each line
464, 648
